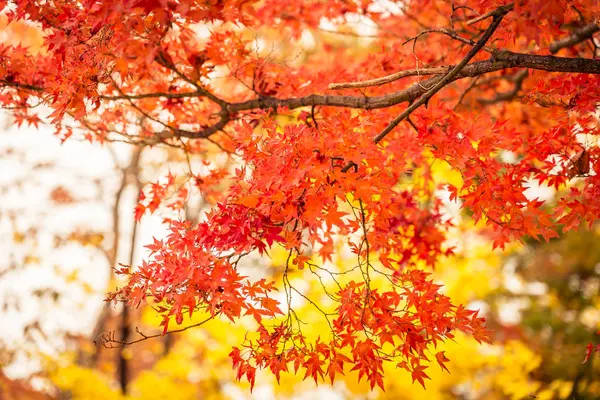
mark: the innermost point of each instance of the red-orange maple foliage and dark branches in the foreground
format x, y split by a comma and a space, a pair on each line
324, 150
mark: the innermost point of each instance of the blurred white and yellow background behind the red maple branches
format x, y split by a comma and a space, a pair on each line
66, 219
